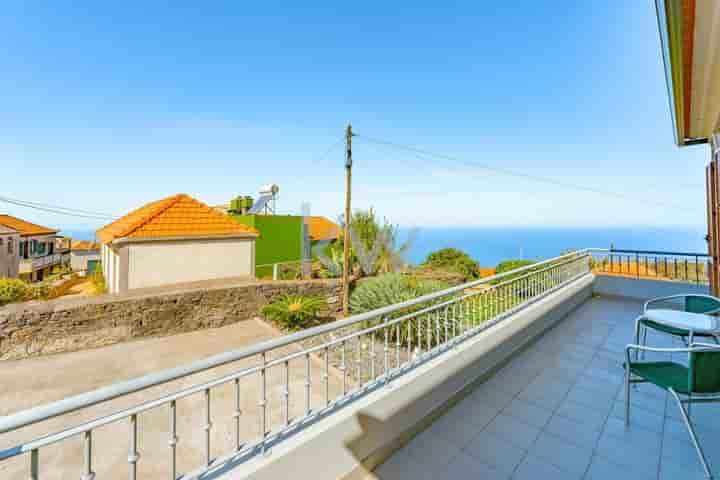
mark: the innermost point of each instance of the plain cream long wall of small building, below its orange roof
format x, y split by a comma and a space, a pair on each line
151, 264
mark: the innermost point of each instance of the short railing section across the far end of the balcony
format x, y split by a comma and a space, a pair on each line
678, 266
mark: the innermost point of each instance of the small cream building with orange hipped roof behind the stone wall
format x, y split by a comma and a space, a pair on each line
174, 240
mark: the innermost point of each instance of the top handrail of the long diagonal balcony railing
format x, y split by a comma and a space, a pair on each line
71, 404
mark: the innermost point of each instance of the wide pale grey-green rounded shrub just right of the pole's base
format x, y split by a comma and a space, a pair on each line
388, 289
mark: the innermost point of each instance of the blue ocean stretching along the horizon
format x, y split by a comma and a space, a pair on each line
491, 245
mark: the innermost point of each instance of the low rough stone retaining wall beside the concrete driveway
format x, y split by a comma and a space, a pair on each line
62, 325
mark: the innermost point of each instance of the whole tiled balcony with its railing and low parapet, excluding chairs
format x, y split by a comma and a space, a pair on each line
521, 378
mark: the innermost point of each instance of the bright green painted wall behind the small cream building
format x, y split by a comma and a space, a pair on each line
280, 239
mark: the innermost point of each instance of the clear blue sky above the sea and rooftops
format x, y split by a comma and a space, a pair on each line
107, 107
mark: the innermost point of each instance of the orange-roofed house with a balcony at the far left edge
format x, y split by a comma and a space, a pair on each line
40, 248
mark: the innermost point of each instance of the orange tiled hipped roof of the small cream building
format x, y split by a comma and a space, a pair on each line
176, 216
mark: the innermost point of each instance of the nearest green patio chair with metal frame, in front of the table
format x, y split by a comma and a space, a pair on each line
699, 382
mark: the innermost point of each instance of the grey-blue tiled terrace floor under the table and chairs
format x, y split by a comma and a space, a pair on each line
556, 412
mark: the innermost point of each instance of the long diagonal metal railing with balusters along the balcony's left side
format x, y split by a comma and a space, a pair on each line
333, 364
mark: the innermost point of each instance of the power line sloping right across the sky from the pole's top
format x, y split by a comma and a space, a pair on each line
516, 174
